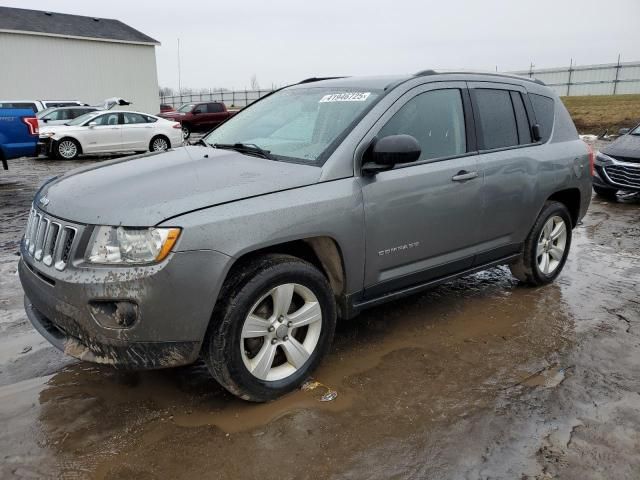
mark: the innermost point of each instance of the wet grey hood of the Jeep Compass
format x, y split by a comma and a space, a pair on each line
147, 189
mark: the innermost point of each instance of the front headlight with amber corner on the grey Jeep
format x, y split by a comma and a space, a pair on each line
127, 245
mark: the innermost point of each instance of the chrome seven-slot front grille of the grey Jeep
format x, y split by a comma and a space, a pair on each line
48, 240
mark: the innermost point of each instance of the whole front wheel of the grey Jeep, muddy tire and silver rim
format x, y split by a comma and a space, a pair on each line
272, 326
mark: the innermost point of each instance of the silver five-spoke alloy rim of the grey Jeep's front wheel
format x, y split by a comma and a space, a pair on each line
281, 332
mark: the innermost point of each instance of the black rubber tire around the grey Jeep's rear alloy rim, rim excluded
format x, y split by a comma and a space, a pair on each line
526, 268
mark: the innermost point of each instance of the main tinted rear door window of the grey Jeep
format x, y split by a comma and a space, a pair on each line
497, 118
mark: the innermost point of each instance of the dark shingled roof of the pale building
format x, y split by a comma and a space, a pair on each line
40, 22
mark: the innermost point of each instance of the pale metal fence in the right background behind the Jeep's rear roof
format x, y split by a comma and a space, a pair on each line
604, 79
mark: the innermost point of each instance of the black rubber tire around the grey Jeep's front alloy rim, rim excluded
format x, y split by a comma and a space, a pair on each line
223, 349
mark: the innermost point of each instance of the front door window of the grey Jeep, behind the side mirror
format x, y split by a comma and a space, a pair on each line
435, 119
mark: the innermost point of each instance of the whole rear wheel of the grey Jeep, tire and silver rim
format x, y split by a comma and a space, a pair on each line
546, 248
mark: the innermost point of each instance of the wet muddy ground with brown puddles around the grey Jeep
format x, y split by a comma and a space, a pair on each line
480, 378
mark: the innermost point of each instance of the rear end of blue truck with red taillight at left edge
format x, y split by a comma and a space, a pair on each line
18, 134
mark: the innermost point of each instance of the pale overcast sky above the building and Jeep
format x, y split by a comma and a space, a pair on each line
224, 43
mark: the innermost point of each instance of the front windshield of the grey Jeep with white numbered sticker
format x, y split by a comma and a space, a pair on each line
297, 124
